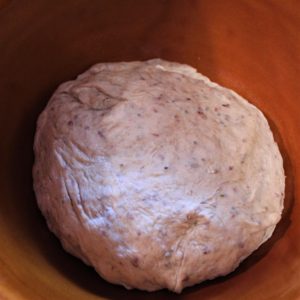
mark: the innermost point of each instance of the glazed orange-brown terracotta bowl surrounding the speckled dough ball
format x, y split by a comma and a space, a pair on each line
250, 46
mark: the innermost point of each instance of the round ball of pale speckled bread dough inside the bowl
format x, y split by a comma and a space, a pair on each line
156, 176
